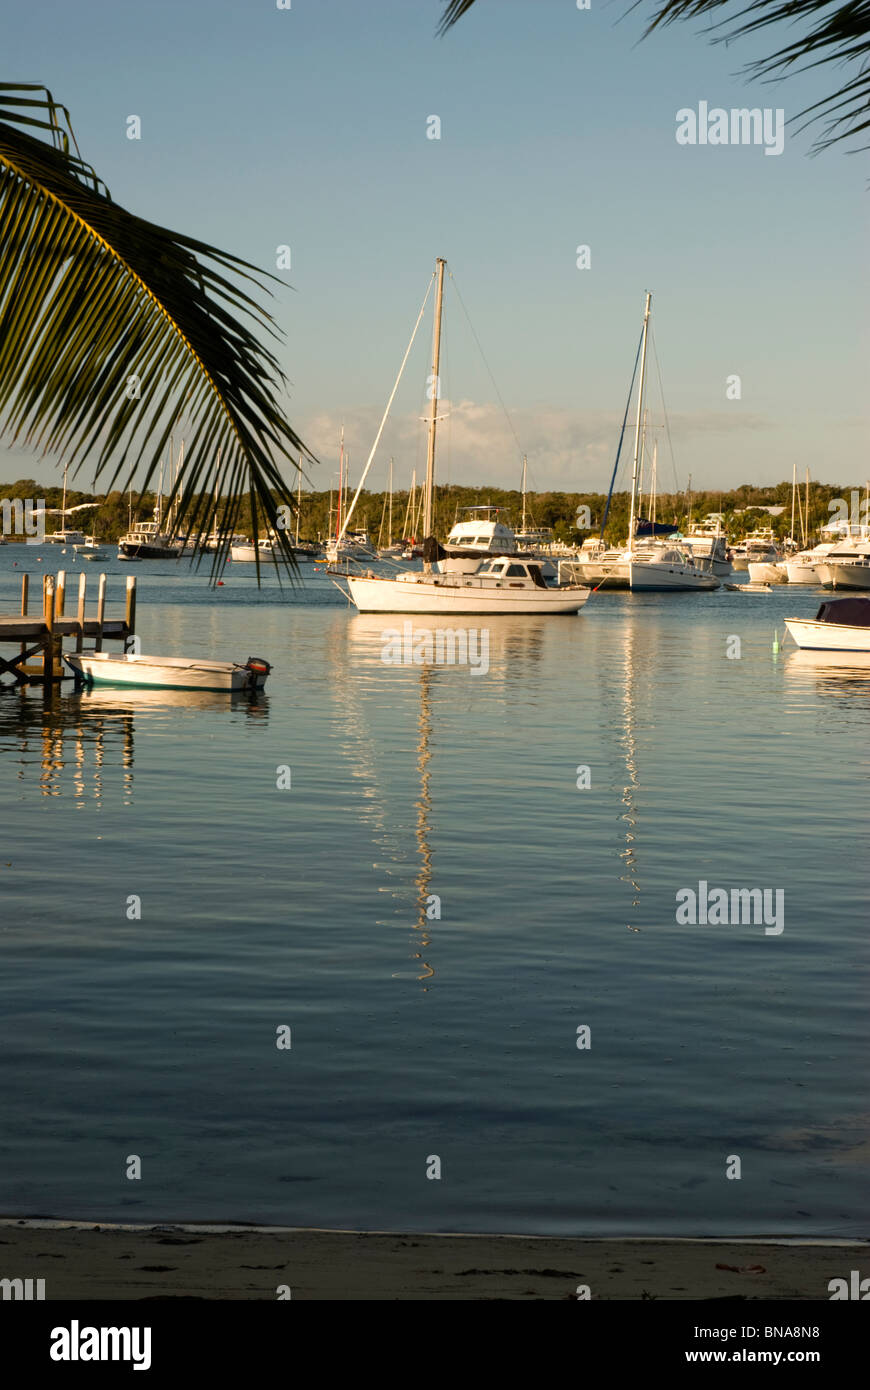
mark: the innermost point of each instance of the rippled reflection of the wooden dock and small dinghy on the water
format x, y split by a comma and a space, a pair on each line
81, 743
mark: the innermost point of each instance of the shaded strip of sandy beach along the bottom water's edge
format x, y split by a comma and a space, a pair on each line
195, 1261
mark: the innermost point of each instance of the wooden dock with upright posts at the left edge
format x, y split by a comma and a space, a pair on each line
42, 635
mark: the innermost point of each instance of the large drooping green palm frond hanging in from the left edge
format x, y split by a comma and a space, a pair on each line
112, 329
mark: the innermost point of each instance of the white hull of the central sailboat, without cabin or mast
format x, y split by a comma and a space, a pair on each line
458, 594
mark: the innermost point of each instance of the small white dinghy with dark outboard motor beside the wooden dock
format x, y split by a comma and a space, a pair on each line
179, 673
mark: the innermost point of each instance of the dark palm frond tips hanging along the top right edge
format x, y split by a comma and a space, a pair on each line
837, 34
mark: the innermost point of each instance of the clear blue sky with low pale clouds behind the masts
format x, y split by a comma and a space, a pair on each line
306, 127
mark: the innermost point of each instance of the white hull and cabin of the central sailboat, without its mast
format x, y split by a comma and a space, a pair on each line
508, 586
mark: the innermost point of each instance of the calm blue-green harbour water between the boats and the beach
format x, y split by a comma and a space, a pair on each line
454, 1038
